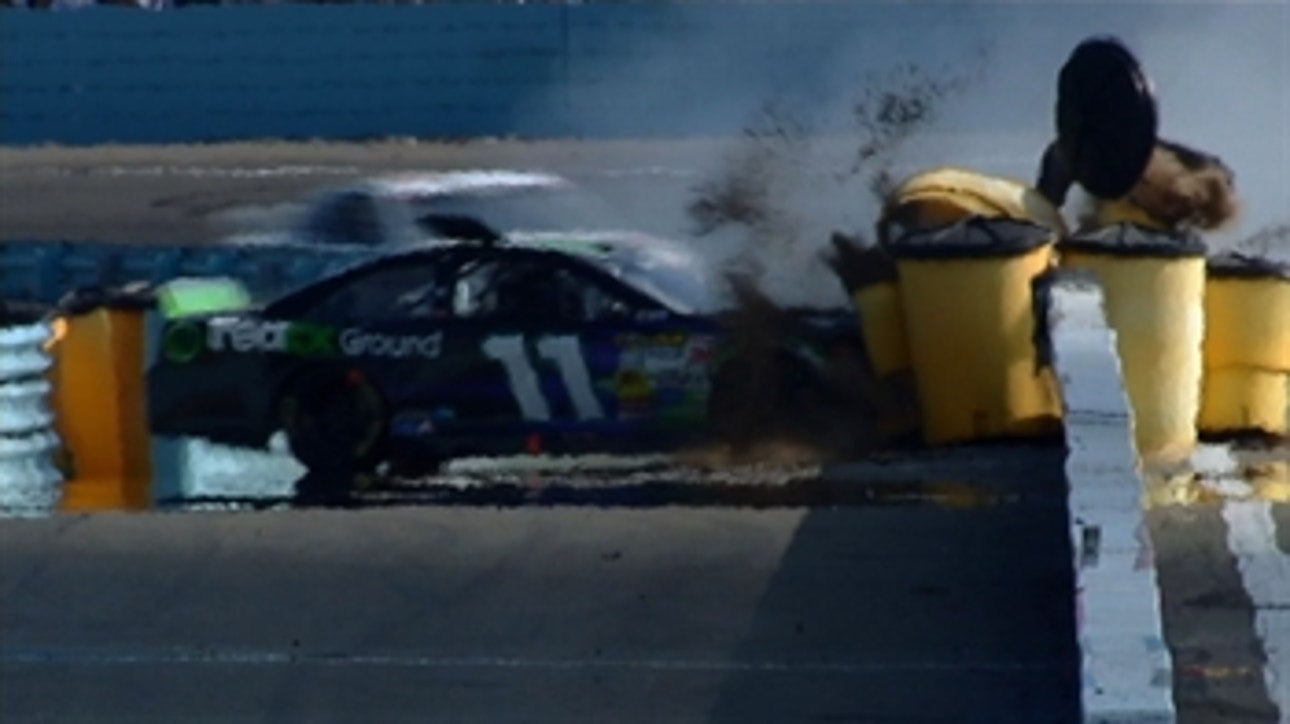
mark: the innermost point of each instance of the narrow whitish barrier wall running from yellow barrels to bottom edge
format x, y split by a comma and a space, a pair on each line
1128, 670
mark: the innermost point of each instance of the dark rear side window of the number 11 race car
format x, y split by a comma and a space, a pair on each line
395, 292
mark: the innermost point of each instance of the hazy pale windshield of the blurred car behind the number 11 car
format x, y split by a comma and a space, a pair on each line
536, 208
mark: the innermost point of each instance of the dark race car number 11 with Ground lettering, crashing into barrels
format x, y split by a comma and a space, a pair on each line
616, 344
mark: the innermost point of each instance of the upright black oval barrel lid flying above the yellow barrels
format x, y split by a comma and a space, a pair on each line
1106, 117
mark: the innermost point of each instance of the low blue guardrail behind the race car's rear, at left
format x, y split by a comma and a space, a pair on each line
43, 272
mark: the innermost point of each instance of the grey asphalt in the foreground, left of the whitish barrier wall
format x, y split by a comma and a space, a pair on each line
558, 615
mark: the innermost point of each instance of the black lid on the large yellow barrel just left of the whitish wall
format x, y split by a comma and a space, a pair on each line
971, 238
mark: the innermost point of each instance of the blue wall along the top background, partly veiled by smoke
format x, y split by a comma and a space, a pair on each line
598, 70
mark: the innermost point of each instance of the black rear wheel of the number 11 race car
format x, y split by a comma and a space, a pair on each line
335, 424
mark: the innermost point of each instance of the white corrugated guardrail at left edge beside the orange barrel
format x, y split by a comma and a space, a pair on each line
28, 437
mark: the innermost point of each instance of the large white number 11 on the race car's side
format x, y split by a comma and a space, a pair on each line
566, 354
